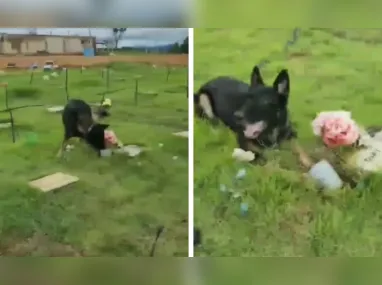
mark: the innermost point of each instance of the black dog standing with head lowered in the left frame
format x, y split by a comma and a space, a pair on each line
78, 121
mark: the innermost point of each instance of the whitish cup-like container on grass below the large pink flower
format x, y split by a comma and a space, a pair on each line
324, 173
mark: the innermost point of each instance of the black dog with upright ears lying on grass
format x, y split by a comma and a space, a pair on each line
257, 113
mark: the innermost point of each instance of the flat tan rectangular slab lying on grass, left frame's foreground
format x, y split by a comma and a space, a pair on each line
53, 181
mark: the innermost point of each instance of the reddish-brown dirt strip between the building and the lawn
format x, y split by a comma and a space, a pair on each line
78, 61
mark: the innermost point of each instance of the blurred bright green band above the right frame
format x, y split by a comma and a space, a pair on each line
272, 14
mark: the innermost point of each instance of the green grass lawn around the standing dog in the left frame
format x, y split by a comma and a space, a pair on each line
119, 202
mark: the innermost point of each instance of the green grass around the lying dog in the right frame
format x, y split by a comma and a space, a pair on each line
329, 70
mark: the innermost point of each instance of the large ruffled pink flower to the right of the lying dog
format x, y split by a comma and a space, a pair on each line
336, 128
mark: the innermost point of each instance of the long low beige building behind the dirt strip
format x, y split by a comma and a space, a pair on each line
33, 44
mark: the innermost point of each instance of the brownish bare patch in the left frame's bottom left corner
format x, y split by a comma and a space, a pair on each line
38, 245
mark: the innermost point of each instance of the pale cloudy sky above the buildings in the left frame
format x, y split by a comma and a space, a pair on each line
132, 37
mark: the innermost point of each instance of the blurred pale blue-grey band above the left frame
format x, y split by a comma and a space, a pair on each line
83, 13
